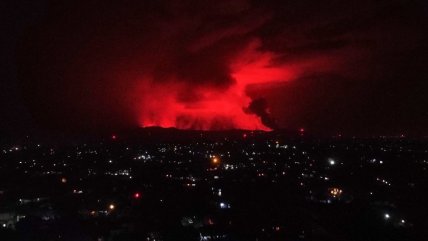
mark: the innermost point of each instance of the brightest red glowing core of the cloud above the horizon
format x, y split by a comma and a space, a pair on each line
160, 104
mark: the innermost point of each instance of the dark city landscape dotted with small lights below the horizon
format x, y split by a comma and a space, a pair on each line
240, 186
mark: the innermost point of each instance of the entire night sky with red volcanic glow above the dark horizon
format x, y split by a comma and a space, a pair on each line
349, 67
